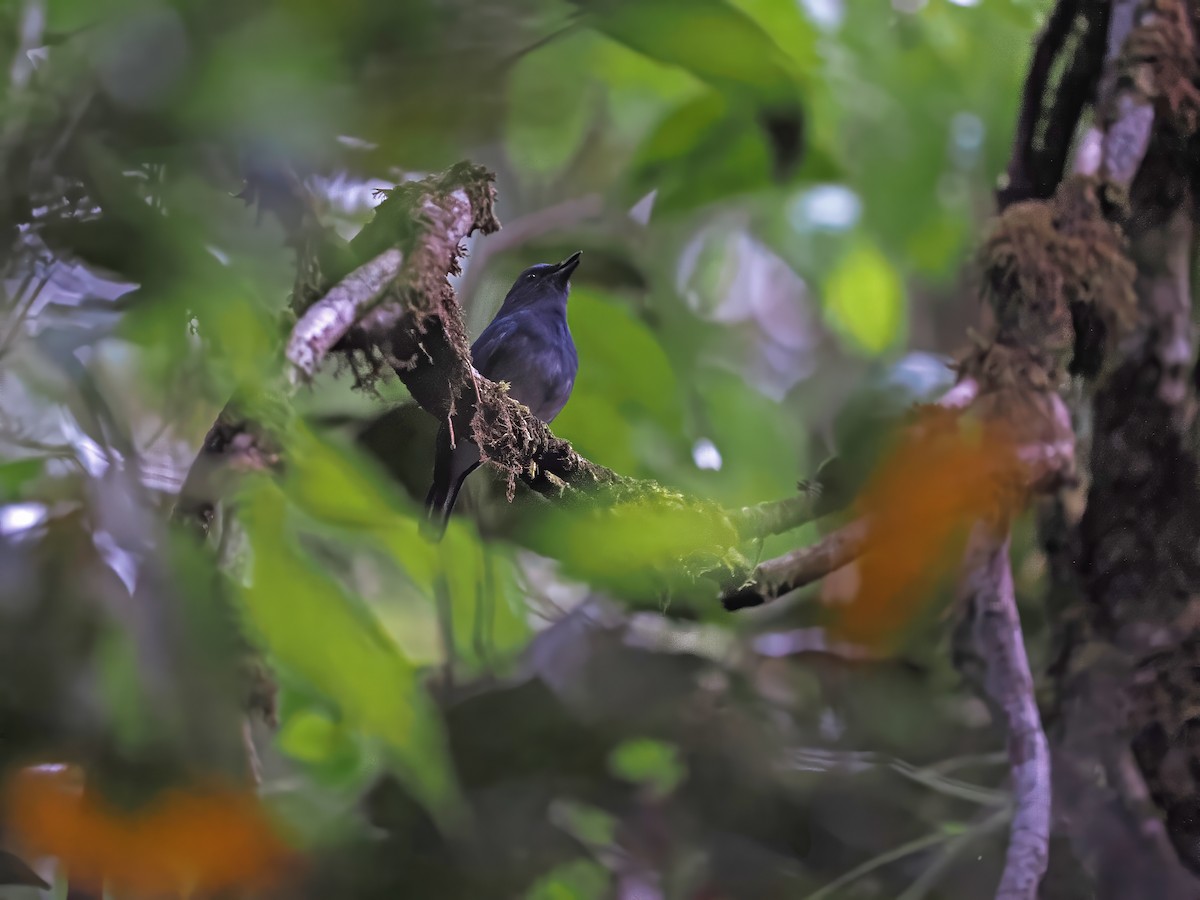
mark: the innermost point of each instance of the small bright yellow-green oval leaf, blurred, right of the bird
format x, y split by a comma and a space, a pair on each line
865, 299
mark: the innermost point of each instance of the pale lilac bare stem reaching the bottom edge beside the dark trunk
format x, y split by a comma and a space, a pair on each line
997, 629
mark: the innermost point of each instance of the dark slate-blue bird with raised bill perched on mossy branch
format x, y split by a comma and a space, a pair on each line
530, 346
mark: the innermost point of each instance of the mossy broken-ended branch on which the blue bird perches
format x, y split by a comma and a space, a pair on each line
397, 309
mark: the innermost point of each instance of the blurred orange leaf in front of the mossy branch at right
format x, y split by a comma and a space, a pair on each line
943, 477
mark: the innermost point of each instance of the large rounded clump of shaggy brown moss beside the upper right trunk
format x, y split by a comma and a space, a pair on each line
1049, 259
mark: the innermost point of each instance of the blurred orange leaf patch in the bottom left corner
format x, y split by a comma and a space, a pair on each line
195, 841
